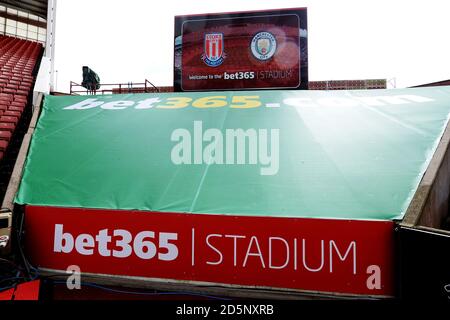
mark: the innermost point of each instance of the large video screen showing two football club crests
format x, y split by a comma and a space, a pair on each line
241, 51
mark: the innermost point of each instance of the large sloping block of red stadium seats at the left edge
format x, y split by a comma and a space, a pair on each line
18, 59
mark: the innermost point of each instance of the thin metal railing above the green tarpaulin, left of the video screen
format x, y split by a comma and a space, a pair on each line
114, 88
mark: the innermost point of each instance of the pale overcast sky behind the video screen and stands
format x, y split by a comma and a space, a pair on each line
132, 40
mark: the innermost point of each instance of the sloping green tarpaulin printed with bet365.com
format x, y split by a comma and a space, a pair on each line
315, 154
